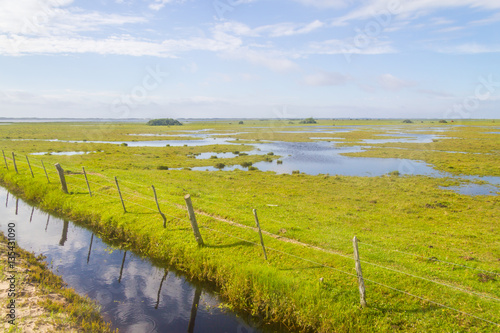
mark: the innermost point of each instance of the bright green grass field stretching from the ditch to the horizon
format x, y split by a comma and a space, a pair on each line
430, 256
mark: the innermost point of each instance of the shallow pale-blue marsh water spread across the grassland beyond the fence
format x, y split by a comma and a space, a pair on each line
321, 156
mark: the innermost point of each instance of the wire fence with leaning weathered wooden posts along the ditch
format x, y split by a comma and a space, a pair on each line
131, 191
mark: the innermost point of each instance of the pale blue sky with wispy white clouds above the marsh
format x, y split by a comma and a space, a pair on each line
250, 59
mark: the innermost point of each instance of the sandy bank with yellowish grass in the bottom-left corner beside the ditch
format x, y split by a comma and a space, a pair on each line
43, 302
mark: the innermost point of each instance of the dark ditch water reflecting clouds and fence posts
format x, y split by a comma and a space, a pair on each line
135, 295
